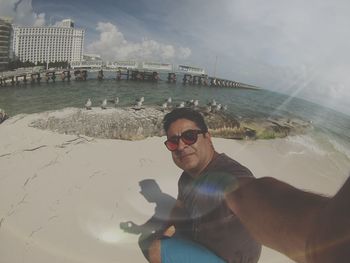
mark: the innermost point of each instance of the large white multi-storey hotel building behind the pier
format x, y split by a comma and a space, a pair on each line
50, 43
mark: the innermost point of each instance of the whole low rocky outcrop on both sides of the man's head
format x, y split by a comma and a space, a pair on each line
131, 124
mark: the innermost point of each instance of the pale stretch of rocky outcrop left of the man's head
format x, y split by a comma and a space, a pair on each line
116, 123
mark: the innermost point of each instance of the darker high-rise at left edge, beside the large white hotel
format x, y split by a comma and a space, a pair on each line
5, 42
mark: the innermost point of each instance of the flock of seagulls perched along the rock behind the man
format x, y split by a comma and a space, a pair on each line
212, 106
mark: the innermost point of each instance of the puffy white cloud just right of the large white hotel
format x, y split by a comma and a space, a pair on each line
112, 45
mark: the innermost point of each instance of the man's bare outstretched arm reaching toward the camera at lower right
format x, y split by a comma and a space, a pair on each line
276, 214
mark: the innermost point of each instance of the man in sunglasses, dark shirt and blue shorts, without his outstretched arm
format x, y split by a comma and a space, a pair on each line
206, 230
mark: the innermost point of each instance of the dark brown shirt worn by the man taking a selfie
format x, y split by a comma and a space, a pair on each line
212, 223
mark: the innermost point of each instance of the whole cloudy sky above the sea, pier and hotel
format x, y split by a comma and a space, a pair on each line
300, 48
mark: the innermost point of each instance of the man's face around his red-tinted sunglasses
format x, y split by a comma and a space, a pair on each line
191, 158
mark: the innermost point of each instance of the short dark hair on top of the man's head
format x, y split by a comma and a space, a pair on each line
184, 113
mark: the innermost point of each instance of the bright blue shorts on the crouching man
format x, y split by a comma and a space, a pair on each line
176, 250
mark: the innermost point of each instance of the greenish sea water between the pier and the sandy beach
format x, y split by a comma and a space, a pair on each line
331, 133
